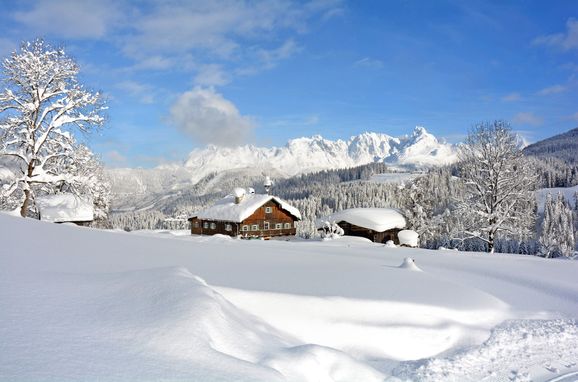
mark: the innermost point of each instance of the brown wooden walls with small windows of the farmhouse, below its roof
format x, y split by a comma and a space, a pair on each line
266, 221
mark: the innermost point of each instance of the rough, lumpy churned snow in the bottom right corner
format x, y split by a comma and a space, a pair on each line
517, 350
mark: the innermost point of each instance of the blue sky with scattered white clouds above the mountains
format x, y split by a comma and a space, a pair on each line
183, 74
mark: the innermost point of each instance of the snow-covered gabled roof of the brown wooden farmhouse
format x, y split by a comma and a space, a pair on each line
227, 210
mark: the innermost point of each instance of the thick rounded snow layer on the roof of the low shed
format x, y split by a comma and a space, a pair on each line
377, 219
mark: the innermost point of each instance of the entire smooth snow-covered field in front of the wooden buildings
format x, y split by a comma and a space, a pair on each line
83, 305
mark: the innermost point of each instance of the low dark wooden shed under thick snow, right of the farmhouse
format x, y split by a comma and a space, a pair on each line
377, 224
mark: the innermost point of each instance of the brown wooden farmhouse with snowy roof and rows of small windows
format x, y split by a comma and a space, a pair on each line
249, 215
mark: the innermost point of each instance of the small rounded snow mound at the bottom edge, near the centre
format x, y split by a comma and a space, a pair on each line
312, 363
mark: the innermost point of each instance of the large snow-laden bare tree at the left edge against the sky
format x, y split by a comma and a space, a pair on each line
41, 105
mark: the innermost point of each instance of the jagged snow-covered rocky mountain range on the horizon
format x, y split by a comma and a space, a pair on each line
317, 153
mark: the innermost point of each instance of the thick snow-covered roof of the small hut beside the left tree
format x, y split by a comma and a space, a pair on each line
64, 208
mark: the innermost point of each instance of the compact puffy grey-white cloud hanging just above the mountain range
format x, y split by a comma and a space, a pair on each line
208, 117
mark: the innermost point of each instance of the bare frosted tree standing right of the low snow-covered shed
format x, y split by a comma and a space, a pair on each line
499, 198
